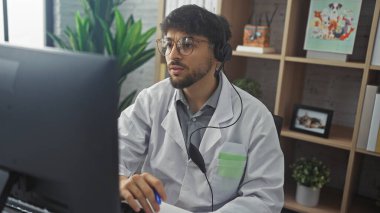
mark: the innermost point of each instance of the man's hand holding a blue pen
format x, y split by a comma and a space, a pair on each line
140, 187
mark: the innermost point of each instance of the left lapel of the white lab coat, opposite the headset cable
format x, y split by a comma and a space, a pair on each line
172, 126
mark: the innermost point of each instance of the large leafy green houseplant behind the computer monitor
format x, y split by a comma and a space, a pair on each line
102, 29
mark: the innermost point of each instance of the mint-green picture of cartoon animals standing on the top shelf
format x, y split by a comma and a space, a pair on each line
331, 27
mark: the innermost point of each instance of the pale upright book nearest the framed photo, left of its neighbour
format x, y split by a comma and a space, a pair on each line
365, 120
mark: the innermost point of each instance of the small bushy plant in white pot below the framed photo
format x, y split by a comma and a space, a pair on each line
311, 175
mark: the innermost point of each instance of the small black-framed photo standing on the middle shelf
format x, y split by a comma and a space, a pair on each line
311, 120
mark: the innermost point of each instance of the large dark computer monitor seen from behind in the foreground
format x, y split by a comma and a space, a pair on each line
58, 130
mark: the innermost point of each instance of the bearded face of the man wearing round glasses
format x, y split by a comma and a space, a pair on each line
189, 60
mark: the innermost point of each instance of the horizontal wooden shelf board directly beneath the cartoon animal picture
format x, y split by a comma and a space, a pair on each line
356, 65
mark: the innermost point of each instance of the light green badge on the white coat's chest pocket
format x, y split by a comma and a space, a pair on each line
231, 165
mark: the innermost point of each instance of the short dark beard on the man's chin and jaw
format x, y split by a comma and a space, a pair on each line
191, 78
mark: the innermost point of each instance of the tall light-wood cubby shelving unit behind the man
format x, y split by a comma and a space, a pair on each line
292, 62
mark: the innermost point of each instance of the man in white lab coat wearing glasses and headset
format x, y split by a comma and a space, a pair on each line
159, 134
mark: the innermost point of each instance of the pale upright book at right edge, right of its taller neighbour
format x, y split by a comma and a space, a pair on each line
375, 123
